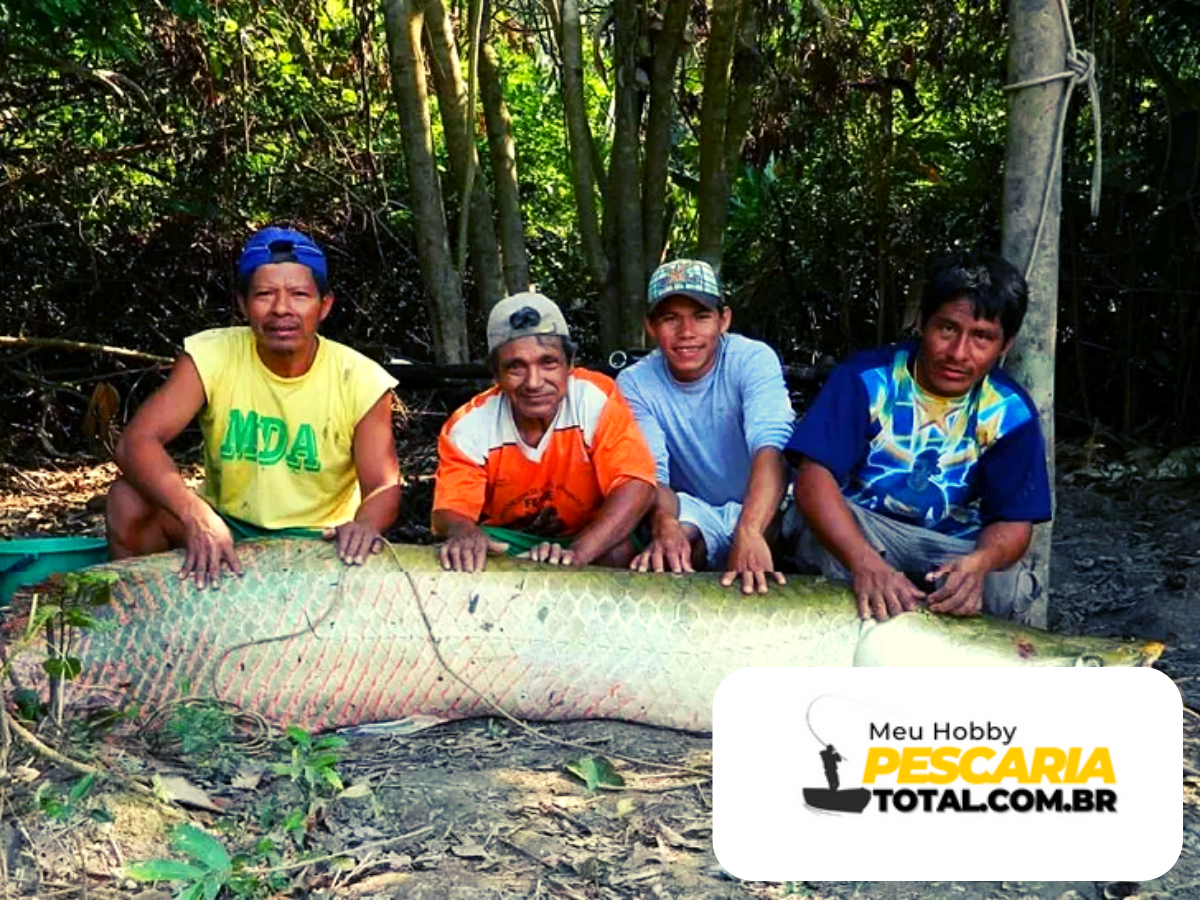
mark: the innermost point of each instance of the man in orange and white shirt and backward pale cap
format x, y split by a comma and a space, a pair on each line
549, 463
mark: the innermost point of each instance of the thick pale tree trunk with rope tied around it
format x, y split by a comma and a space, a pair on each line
1039, 49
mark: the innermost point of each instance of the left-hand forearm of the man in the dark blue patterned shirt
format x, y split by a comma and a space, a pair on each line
880, 591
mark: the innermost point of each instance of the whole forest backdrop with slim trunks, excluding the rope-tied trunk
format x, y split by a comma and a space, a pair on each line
142, 141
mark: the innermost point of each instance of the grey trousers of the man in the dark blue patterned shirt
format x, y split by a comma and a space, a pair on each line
1007, 595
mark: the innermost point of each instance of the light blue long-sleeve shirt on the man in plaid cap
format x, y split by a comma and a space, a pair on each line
705, 435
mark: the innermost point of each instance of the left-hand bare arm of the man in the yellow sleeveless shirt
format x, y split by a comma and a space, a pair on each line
145, 461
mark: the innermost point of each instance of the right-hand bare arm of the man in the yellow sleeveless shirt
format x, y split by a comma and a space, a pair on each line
379, 472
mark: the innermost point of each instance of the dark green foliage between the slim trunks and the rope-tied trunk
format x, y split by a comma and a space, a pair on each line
887, 148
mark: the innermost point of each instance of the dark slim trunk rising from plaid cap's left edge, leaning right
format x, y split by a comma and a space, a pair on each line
659, 122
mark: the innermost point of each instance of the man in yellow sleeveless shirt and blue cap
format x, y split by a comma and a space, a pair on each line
297, 429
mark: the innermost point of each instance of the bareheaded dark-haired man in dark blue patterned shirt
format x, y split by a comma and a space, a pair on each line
922, 466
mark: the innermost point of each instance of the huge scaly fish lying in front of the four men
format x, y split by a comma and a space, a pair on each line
303, 640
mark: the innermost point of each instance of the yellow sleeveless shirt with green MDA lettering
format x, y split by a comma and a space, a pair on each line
279, 452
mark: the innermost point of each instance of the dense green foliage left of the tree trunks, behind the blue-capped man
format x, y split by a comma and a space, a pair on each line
155, 139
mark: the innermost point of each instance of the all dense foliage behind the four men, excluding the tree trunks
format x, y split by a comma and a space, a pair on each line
142, 141
